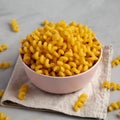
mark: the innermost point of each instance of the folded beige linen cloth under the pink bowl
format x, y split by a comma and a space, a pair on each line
95, 107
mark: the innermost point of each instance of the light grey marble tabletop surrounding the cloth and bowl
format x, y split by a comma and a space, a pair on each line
101, 15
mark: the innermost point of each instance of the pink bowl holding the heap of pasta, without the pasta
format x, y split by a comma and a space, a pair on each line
61, 85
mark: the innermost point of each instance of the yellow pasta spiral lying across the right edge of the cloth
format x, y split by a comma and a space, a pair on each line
111, 85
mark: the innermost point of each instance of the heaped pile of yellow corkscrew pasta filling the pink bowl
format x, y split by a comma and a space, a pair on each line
60, 49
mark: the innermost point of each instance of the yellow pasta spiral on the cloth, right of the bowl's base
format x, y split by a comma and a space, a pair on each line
80, 102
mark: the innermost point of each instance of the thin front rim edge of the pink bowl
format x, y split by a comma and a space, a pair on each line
80, 74
